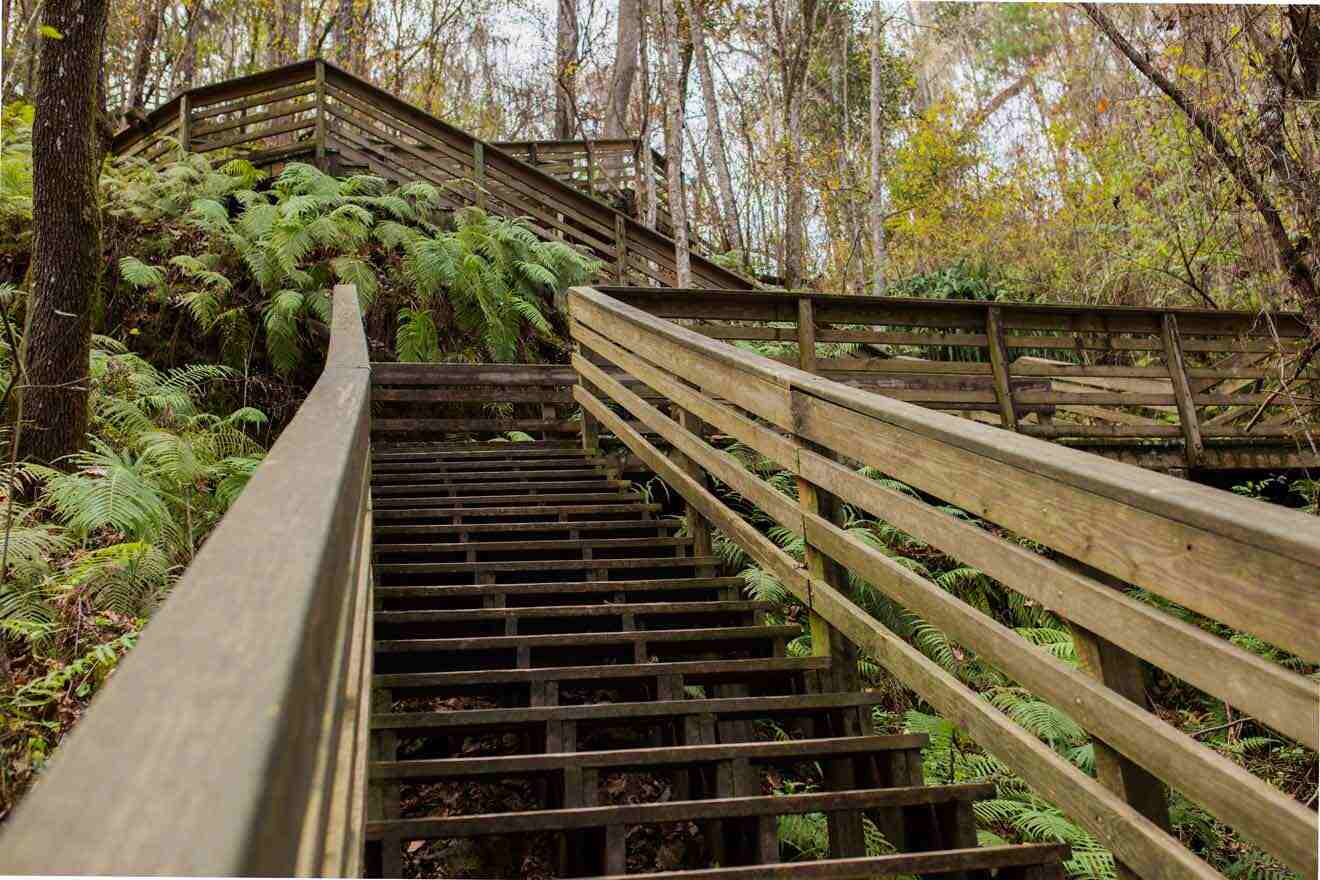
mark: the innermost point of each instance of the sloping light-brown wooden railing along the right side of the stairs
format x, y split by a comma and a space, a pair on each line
1108, 528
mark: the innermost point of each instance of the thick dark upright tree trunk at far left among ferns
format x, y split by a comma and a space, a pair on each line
67, 156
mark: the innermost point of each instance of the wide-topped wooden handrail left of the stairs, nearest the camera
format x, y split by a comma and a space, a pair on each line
233, 739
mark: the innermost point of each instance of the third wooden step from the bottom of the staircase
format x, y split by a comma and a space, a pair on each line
646, 758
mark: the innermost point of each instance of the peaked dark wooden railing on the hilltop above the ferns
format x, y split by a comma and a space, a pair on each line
313, 111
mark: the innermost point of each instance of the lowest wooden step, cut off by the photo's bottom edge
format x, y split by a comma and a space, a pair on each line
1013, 862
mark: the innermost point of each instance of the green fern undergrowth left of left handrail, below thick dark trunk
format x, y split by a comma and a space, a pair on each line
90, 550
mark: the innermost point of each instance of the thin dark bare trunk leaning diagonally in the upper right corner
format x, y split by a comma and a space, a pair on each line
1301, 278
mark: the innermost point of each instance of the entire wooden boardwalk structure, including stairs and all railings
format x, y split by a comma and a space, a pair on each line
405, 601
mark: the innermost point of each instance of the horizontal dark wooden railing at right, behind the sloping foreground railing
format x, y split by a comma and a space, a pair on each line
1168, 389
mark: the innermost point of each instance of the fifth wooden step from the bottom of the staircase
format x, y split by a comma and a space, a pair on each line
691, 671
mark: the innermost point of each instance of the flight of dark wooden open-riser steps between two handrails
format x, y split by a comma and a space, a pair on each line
539, 623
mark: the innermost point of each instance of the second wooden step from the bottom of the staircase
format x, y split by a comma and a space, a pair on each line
600, 817
